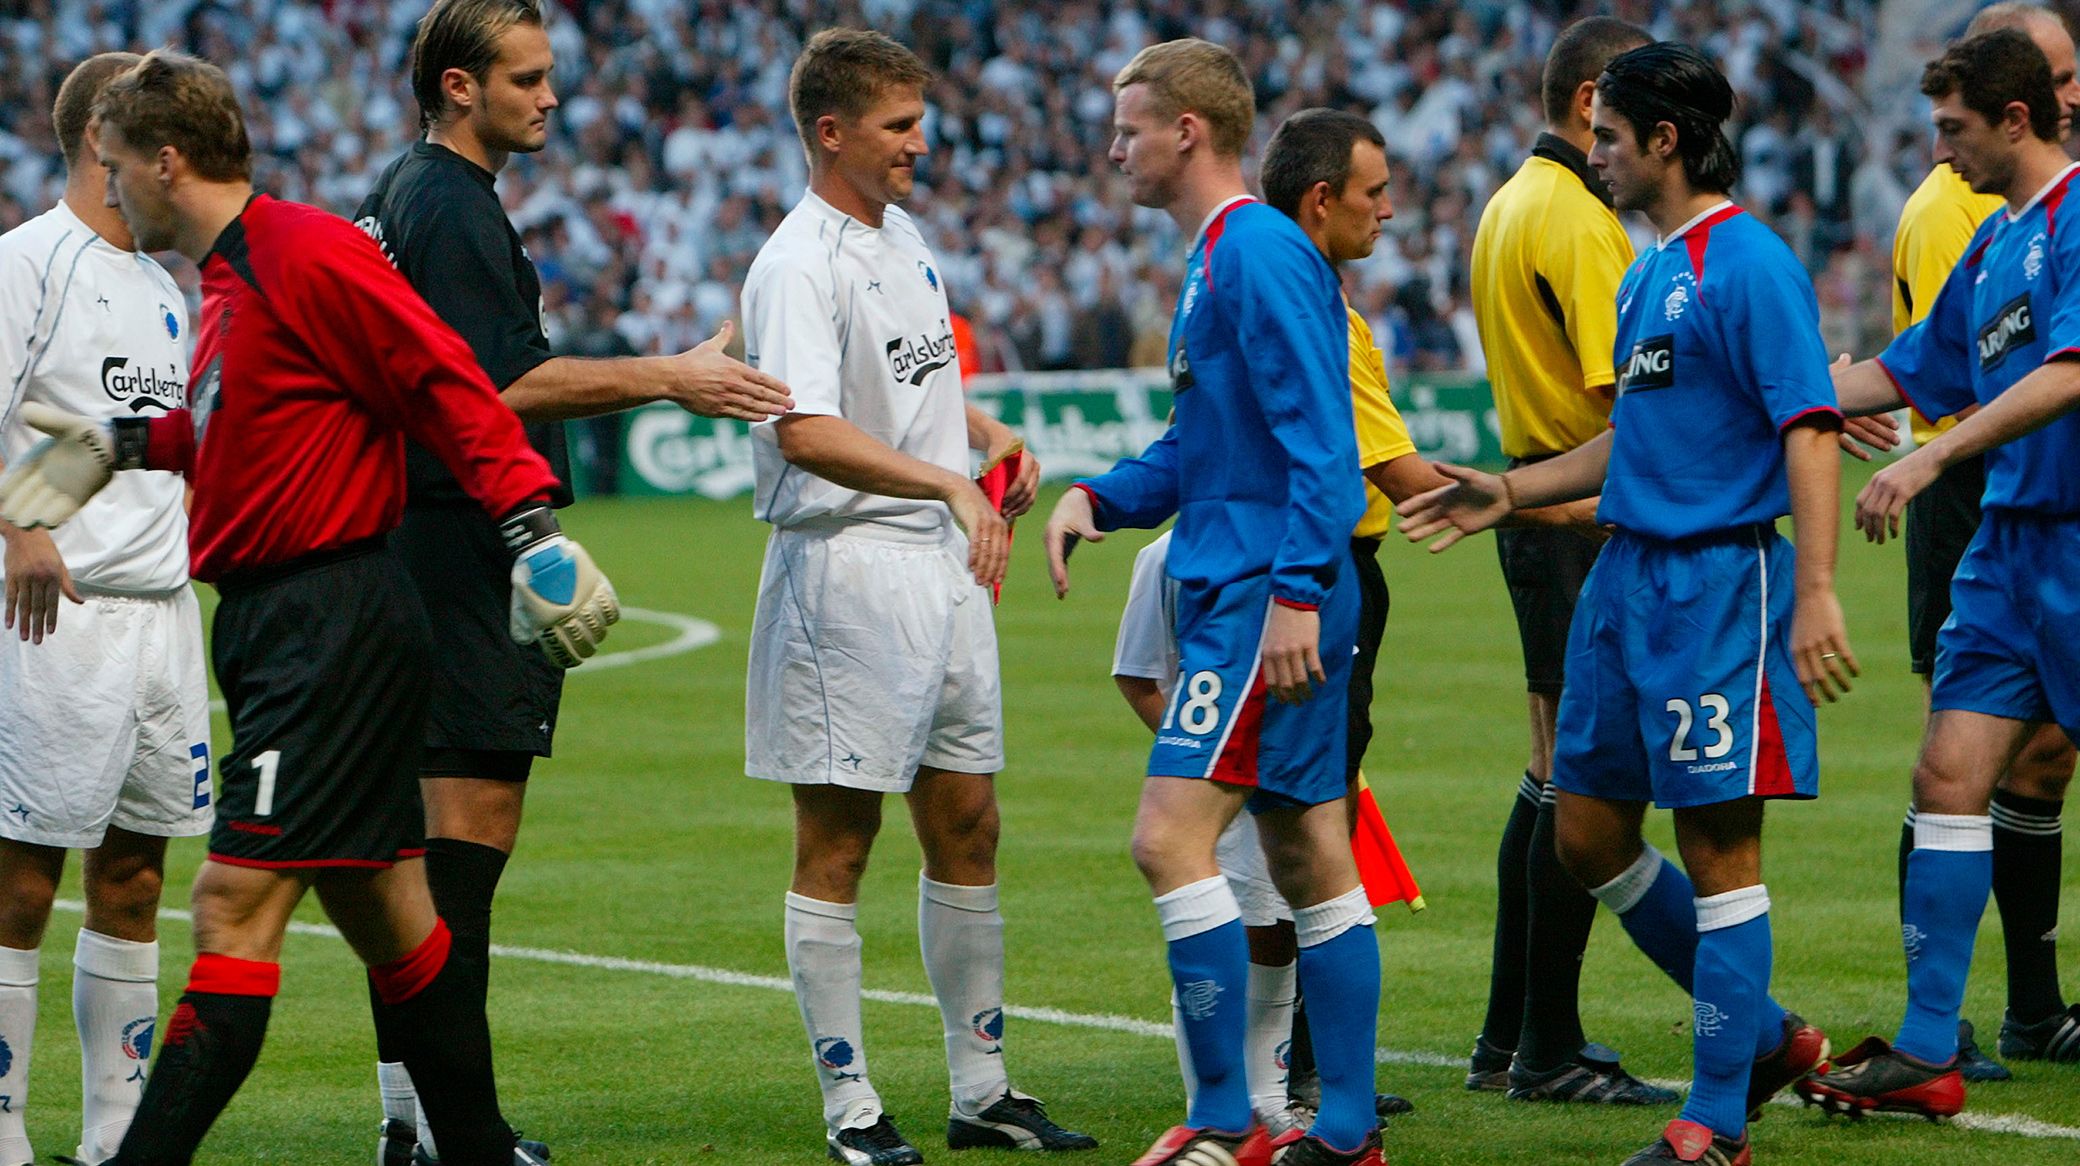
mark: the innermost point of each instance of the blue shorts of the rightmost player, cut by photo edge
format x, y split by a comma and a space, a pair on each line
2012, 643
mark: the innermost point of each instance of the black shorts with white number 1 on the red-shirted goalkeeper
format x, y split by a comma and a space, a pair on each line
323, 668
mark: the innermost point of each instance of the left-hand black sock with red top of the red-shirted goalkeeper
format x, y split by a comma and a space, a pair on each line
211, 1044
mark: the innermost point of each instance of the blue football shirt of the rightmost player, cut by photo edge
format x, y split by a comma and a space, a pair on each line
2008, 307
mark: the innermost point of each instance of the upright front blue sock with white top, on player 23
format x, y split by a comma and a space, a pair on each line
1732, 995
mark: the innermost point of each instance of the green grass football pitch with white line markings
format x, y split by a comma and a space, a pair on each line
650, 1019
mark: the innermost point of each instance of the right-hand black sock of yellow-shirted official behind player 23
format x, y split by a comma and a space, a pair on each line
1557, 938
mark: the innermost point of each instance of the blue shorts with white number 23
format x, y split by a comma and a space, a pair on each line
1680, 681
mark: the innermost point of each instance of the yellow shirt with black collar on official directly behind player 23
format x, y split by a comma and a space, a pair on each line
1546, 267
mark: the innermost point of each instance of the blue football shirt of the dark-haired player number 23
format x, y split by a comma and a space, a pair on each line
1719, 352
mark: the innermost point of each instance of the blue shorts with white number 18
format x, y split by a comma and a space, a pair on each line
1226, 728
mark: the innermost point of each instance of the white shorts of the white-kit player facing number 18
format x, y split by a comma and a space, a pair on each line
873, 654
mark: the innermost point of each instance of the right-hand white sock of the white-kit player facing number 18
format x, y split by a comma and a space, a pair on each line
962, 936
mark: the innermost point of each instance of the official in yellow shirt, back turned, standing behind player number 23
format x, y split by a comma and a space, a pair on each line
1546, 265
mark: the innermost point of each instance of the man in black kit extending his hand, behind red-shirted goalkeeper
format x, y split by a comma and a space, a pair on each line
482, 80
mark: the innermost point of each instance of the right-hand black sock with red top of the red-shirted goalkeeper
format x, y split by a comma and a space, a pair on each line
432, 1009
